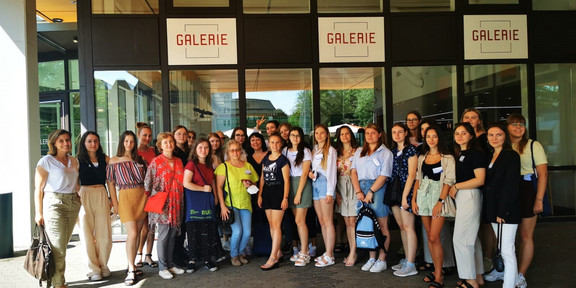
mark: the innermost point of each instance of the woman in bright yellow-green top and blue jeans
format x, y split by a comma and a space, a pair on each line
235, 176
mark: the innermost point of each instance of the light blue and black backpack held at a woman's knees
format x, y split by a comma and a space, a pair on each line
368, 233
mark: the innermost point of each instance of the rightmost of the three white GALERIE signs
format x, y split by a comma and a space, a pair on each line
495, 37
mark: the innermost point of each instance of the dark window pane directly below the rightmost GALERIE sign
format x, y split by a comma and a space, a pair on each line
496, 90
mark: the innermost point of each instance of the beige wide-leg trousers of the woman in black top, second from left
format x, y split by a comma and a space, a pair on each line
96, 230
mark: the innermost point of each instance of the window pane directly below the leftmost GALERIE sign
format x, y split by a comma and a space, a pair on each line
204, 100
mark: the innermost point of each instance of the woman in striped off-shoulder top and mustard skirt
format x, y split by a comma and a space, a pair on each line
127, 170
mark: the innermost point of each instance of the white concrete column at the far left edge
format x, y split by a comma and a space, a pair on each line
19, 112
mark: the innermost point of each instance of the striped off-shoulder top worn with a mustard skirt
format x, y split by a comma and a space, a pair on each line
126, 175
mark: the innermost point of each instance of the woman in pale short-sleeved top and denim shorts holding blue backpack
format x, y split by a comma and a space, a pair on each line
371, 166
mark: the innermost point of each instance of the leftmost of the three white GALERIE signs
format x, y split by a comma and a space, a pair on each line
201, 41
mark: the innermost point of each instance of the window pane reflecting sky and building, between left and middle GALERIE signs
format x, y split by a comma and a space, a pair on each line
284, 95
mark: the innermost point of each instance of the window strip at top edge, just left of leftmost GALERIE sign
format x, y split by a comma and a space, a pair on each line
124, 7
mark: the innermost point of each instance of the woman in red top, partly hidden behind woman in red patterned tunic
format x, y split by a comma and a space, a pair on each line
147, 235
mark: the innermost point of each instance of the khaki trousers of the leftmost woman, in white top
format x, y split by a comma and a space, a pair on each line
60, 215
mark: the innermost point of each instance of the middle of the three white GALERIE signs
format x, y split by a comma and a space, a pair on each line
354, 39
